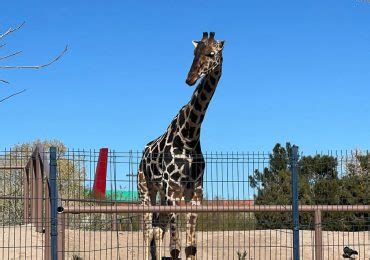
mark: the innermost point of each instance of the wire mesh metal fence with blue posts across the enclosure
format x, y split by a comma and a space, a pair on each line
247, 206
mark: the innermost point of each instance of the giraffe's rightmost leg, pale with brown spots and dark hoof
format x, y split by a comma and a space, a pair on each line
191, 222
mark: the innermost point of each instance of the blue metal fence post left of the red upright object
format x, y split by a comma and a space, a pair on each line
53, 203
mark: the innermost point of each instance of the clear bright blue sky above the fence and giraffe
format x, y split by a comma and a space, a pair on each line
293, 71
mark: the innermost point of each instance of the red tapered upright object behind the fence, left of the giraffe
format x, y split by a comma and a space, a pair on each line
101, 175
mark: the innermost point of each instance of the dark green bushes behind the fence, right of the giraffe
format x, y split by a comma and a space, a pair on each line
319, 184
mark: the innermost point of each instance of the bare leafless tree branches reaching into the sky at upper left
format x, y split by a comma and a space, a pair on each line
8, 56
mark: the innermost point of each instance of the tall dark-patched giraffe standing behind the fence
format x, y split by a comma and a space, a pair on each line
173, 165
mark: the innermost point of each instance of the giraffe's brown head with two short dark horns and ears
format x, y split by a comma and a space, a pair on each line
207, 56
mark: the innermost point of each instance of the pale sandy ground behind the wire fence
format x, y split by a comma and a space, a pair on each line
22, 242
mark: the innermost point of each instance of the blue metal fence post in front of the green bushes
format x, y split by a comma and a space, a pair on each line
294, 176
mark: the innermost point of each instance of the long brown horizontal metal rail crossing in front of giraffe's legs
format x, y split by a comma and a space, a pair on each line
219, 208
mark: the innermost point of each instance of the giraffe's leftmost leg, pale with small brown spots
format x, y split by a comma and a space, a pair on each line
147, 217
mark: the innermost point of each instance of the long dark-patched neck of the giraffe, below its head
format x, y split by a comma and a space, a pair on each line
192, 115
